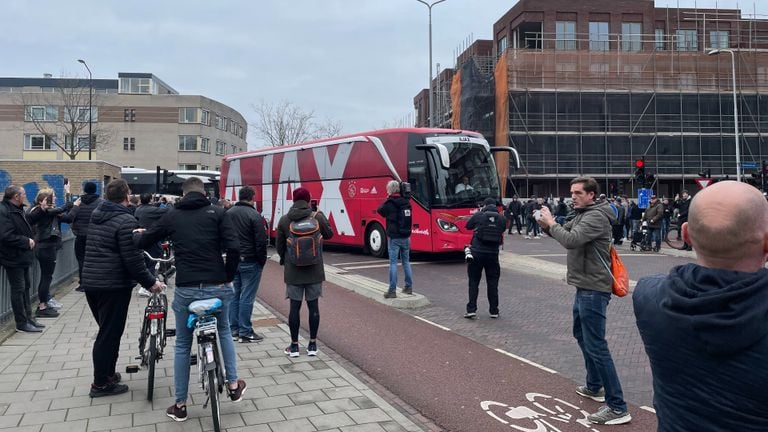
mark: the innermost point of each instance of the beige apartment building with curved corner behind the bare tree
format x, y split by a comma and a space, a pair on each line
137, 120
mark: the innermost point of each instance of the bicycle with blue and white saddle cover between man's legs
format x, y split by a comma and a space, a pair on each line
209, 358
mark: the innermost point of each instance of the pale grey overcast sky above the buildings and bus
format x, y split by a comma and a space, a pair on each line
359, 62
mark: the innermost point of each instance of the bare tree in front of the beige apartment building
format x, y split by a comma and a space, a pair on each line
65, 111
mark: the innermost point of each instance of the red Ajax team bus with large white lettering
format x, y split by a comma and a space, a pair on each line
347, 177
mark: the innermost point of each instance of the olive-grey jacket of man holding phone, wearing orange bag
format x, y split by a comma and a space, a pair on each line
583, 236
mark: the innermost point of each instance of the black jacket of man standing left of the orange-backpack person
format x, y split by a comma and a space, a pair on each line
251, 231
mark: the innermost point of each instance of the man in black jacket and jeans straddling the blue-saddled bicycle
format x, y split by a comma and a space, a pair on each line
200, 232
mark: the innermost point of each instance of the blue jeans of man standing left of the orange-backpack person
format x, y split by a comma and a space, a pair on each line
246, 283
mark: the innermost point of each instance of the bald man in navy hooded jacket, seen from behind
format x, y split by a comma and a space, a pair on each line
705, 325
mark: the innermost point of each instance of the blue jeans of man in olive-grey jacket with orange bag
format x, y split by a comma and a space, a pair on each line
589, 330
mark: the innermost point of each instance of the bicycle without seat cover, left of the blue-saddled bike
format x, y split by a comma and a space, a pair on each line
153, 335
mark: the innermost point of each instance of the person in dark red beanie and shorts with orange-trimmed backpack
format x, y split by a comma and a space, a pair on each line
302, 282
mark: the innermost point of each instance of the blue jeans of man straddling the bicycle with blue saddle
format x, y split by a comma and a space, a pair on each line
183, 297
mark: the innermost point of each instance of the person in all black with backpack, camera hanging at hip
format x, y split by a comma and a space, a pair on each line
488, 226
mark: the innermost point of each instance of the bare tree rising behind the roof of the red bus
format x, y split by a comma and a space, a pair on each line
284, 123
